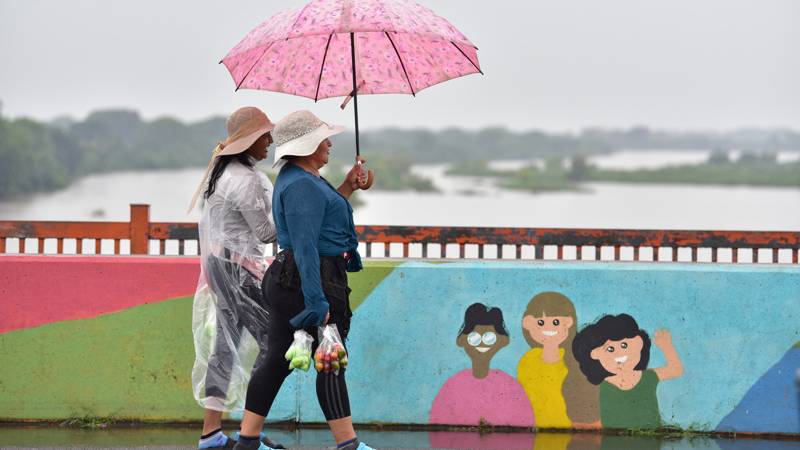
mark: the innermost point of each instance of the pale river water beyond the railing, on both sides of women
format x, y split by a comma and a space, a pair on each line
463, 201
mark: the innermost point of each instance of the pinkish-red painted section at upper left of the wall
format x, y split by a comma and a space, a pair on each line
35, 290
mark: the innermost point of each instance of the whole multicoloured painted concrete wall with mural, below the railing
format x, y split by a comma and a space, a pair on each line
111, 337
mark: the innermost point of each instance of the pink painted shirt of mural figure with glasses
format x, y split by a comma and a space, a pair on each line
497, 399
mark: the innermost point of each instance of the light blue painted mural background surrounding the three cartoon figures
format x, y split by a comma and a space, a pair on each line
730, 325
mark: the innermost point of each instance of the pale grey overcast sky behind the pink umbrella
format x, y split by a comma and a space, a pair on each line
554, 65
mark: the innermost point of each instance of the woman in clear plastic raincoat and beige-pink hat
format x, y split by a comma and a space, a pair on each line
228, 319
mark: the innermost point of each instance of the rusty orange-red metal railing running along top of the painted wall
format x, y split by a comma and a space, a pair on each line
139, 233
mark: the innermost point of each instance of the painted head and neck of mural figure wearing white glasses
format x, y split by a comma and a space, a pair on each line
482, 336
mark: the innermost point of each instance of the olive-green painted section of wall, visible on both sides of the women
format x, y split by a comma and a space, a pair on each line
133, 364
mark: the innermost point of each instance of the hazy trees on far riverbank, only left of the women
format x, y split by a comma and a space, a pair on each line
38, 156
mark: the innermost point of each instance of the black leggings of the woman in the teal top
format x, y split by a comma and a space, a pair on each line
284, 299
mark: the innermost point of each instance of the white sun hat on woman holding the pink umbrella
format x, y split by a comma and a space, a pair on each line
299, 134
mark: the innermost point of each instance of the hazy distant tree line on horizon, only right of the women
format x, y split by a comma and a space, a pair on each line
457, 145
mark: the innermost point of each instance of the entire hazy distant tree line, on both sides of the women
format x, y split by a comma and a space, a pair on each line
37, 156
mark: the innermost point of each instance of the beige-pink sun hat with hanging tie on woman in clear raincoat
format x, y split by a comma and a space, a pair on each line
245, 126
